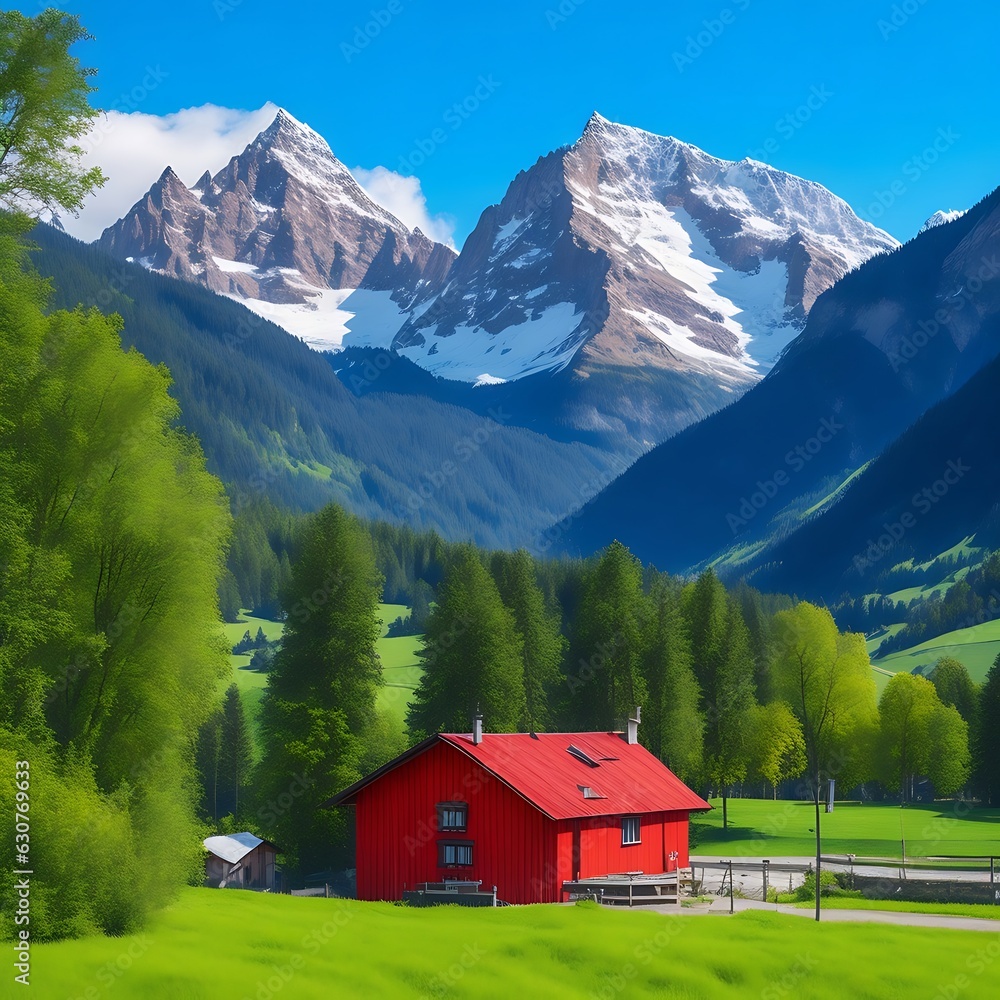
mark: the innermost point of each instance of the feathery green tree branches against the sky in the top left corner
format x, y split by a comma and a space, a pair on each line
44, 107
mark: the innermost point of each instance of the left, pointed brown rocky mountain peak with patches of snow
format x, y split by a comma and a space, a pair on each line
285, 227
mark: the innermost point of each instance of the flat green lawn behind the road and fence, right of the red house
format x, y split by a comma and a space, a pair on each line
762, 827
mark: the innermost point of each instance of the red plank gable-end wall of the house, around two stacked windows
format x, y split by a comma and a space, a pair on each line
396, 817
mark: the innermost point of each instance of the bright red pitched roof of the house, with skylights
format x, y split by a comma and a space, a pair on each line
603, 774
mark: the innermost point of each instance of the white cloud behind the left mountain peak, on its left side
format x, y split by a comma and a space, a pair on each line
133, 150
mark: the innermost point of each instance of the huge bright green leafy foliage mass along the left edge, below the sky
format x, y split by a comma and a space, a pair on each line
111, 543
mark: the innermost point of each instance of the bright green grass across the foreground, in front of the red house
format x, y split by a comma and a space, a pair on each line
257, 946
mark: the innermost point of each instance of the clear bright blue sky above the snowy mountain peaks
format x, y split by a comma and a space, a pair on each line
902, 93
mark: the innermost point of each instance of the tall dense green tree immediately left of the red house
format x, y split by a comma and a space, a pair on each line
320, 697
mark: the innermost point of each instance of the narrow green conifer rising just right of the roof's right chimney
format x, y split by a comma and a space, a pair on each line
673, 726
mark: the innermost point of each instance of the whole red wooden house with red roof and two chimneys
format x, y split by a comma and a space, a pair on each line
523, 812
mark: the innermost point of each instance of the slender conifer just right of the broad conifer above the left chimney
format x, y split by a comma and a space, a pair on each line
542, 644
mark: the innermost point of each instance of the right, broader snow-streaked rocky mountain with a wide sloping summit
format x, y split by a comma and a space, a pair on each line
630, 248
